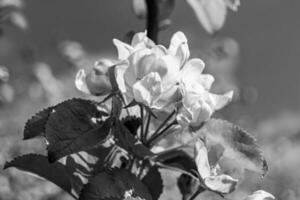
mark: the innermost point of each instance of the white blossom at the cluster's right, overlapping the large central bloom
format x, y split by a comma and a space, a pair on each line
198, 104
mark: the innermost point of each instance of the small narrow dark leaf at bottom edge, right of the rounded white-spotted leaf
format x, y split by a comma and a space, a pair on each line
154, 183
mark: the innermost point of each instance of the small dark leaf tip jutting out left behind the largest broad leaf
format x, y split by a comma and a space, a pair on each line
35, 126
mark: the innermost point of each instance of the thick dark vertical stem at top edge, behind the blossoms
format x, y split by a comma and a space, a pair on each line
152, 19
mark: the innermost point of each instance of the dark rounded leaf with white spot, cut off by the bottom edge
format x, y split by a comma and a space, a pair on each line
115, 184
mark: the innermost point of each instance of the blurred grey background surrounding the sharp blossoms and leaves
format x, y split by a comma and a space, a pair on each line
257, 54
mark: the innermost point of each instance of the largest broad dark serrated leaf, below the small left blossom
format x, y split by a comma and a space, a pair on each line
73, 127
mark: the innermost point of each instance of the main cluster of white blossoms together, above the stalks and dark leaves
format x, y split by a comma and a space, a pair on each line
160, 79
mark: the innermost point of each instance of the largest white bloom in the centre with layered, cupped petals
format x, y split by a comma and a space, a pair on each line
149, 73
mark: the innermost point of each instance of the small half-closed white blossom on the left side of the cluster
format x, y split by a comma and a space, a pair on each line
96, 81
